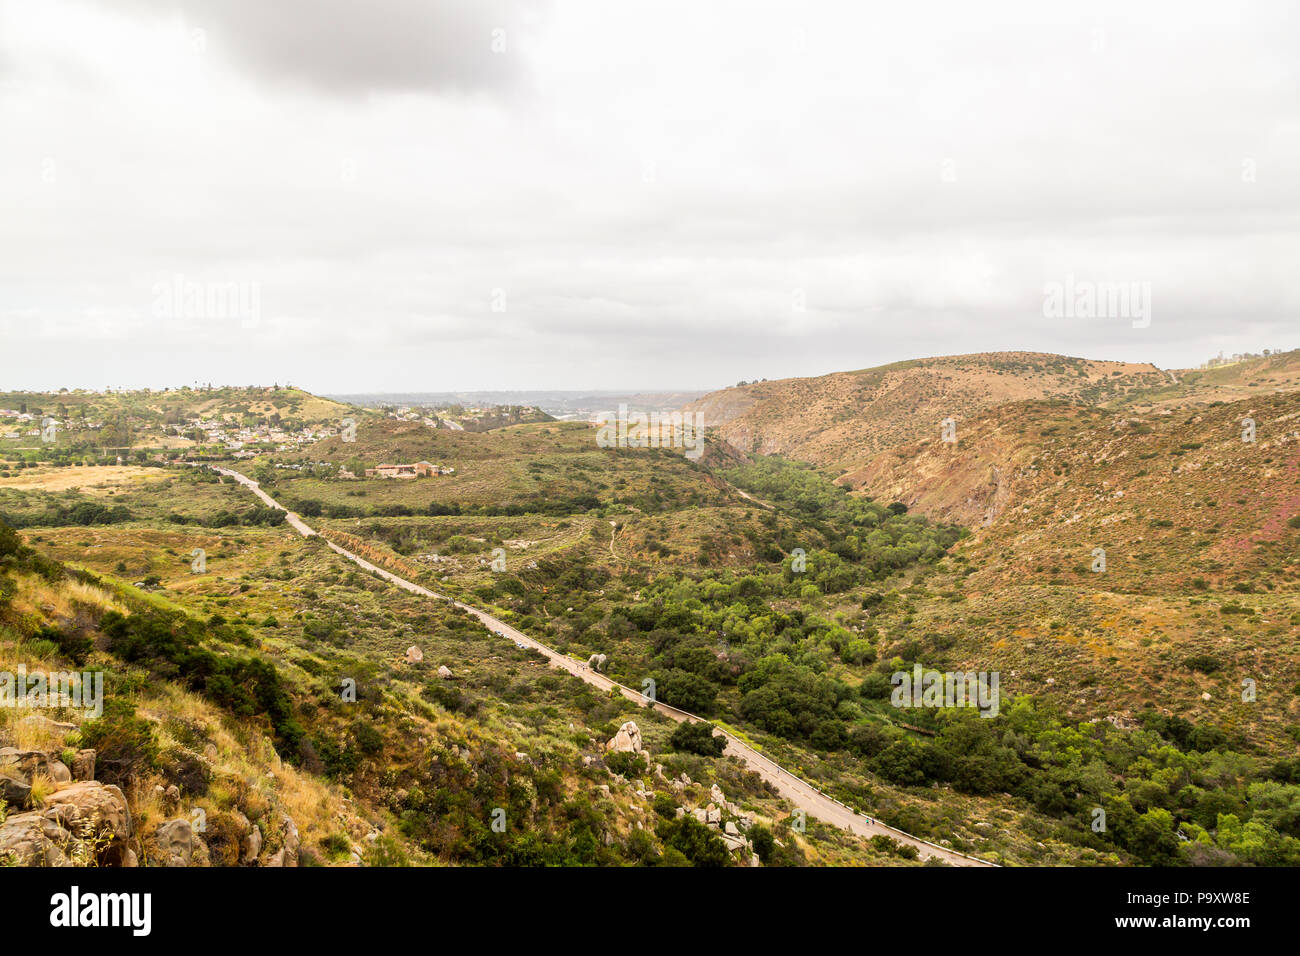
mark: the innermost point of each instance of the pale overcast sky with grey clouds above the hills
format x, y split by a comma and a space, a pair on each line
487, 194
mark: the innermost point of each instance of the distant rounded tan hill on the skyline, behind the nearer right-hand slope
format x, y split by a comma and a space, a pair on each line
840, 421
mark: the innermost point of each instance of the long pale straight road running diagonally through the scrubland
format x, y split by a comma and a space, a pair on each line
799, 791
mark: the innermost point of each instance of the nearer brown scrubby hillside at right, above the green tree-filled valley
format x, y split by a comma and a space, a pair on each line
1198, 529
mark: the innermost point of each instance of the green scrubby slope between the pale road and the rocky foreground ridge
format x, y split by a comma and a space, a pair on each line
319, 620
